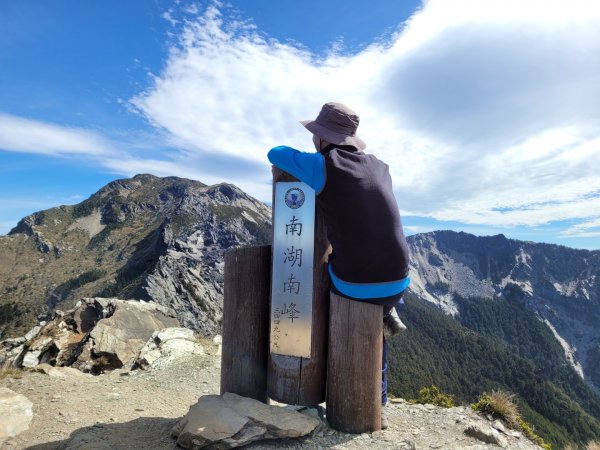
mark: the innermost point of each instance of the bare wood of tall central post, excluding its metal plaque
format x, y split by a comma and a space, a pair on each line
301, 381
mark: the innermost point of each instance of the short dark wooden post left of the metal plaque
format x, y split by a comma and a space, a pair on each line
246, 322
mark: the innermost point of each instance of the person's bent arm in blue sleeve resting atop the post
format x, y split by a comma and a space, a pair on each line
307, 167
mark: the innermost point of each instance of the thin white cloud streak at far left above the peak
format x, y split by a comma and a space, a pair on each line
18, 134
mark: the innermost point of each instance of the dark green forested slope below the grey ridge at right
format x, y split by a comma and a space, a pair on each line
438, 350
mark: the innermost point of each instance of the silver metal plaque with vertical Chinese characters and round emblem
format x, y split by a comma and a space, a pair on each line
292, 283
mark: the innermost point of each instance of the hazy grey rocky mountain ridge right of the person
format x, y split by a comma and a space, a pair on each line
560, 285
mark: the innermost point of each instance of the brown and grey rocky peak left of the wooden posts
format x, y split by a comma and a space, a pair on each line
144, 238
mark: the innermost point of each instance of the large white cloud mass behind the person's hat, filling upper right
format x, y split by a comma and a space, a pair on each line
488, 112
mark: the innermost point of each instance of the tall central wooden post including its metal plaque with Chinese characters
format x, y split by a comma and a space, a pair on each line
299, 296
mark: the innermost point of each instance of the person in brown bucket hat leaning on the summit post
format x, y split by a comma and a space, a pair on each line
354, 193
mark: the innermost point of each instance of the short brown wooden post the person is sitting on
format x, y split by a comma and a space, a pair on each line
354, 365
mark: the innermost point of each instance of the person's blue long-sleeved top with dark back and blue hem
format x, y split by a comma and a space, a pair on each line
370, 255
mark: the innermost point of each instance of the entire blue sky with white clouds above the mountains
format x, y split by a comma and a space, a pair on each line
487, 111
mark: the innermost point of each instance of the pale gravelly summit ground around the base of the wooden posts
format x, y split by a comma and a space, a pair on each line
137, 409
